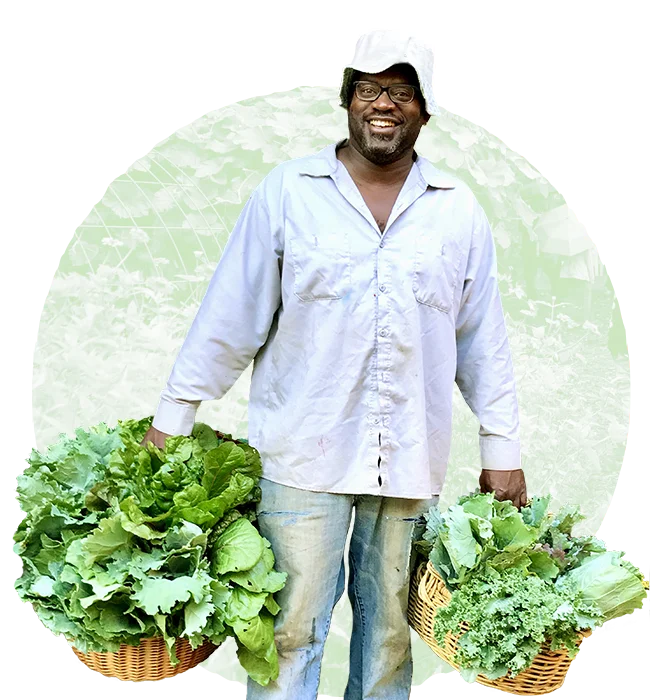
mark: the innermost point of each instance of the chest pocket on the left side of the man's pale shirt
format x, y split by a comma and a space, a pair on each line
321, 264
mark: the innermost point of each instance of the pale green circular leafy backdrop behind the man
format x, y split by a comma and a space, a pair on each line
133, 274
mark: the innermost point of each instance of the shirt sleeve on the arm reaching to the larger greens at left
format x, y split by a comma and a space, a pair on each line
232, 323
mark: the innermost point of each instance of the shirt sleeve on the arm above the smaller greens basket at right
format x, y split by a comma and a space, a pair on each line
484, 371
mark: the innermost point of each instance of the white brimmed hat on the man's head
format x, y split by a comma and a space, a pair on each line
378, 50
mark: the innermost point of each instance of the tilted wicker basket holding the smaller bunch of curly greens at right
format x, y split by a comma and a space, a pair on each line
428, 593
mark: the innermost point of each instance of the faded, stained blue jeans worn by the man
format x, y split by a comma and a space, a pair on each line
308, 533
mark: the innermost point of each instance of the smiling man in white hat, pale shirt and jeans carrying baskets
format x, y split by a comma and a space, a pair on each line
362, 281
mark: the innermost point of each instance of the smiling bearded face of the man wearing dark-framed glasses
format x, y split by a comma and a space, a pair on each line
386, 144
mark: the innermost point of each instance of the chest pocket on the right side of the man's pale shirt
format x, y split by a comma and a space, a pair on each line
436, 270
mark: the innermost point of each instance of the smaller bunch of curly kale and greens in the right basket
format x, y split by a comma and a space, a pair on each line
518, 578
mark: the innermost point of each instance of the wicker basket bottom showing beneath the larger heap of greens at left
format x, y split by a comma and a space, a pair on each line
149, 661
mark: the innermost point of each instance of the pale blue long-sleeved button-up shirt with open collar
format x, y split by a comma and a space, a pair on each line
357, 336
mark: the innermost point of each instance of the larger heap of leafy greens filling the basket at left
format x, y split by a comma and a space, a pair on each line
121, 542
